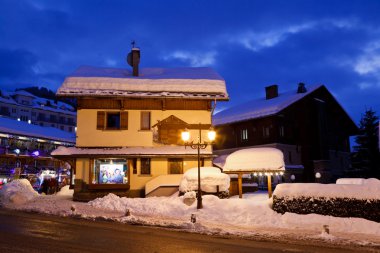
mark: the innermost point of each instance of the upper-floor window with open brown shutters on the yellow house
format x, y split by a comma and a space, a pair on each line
112, 120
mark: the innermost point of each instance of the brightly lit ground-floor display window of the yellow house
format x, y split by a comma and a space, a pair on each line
110, 171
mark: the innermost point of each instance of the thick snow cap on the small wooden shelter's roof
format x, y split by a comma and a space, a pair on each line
255, 159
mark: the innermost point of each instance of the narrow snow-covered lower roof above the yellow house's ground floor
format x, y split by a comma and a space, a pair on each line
132, 151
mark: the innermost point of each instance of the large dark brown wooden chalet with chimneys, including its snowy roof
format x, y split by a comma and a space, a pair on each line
307, 124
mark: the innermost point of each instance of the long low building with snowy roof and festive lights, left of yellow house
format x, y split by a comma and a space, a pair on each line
28, 146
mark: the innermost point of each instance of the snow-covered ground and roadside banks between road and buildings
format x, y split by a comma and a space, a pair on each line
250, 217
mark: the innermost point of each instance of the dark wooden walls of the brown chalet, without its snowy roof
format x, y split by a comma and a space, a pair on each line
316, 126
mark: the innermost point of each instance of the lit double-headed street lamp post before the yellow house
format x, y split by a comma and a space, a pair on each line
198, 145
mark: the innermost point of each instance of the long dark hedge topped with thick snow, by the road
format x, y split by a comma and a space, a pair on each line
340, 200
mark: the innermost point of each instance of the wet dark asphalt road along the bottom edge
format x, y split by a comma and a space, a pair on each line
28, 232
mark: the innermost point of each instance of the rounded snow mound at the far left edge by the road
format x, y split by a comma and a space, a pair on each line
17, 192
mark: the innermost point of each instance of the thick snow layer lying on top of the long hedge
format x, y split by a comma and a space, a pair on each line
370, 189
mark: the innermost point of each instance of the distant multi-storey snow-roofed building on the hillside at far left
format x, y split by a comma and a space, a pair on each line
23, 106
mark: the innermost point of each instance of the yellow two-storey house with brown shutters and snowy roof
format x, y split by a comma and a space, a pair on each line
130, 123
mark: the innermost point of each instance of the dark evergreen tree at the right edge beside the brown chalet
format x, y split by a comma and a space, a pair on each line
367, 150
